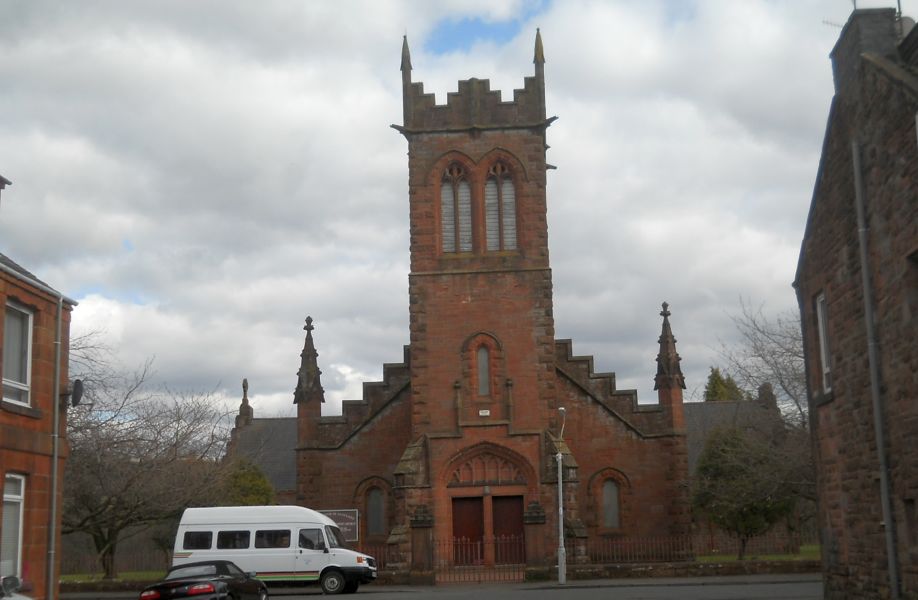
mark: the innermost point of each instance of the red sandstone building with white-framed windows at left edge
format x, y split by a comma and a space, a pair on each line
35, 319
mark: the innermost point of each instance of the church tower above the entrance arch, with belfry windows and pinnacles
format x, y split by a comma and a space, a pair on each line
482, 332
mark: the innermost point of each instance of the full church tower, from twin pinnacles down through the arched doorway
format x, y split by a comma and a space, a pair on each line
482, 349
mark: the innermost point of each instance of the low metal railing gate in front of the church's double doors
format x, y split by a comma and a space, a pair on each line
483, 560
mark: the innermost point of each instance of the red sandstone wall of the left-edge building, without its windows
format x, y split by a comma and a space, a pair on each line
26, 432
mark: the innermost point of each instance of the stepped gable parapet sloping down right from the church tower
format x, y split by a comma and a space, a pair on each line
646, 420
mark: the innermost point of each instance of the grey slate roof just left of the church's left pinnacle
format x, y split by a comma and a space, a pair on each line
271, 444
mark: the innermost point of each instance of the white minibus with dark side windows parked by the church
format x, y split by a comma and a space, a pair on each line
280, 544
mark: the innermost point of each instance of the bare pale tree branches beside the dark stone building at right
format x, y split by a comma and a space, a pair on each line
770, 350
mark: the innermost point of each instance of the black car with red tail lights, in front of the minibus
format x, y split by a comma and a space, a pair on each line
207, 580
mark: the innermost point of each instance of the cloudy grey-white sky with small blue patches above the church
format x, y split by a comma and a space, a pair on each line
202, 175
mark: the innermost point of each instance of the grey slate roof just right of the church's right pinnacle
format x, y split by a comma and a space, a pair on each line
701, 418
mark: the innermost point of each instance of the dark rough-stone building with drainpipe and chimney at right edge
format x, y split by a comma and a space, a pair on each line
860, 257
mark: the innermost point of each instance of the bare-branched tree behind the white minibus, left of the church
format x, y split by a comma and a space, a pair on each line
137, 457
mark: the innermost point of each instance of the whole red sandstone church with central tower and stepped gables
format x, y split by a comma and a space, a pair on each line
455, 448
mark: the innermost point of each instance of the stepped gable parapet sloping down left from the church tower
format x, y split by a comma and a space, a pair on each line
377, 396
